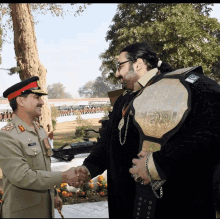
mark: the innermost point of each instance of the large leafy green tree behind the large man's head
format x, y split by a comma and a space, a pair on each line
182, 34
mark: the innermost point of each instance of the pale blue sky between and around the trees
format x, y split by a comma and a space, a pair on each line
69, 47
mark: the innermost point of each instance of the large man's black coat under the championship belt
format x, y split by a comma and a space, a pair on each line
187, 161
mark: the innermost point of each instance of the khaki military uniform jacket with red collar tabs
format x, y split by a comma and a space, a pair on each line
28, 182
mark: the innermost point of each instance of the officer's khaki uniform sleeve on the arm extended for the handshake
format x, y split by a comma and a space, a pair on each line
17, 171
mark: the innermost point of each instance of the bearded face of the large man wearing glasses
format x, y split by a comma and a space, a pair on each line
126, 73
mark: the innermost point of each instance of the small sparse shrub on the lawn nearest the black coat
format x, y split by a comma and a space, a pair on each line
83, 125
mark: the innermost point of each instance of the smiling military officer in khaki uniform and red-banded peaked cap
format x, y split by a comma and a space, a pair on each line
28, 182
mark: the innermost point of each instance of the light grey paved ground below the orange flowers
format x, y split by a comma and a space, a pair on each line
86, 210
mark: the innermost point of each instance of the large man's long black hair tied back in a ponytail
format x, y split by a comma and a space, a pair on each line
146, 52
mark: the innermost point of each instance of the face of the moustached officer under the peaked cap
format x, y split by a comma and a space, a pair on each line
32, 105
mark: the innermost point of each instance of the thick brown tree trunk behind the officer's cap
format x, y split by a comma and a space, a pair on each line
26, 52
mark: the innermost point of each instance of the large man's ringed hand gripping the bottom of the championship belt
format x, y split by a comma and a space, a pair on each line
140, 168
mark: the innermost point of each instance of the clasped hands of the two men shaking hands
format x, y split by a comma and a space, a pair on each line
76, 176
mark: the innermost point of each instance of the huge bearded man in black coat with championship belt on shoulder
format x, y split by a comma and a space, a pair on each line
171, 121
